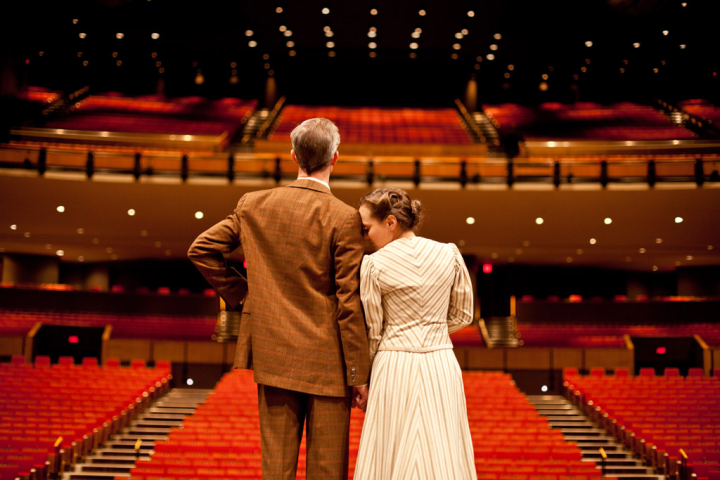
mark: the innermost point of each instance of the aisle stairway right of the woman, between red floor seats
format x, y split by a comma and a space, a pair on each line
576, 427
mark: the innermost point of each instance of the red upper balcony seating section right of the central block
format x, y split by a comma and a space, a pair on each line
586, 121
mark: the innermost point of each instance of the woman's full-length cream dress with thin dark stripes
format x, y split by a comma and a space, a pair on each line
415, 292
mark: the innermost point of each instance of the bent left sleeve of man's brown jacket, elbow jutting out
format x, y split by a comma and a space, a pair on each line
207, 251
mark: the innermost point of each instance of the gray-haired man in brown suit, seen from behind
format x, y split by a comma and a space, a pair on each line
302, 330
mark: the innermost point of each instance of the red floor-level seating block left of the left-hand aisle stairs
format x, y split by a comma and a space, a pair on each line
82, 404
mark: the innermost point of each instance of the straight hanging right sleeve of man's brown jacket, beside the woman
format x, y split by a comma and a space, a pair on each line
349, 251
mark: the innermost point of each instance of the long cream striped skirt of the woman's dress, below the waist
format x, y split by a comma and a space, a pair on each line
416, 424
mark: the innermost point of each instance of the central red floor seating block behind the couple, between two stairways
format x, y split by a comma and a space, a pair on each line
222, 439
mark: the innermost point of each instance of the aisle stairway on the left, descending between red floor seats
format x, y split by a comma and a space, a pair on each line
117, 457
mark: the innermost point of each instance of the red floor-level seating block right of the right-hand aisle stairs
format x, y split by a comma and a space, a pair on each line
658, 417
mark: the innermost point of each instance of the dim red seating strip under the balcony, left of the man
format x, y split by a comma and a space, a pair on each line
18, 323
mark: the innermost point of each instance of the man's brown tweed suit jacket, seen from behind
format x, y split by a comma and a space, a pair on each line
302, 325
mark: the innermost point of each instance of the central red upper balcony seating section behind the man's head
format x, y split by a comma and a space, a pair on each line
379, 125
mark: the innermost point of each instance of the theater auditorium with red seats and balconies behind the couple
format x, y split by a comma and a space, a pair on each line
569, 149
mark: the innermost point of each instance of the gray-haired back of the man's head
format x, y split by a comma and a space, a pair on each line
315, 142
